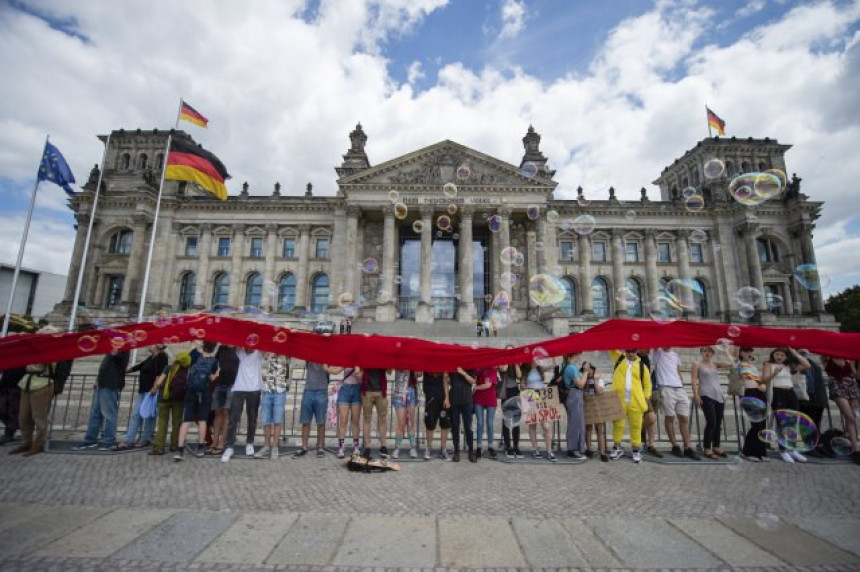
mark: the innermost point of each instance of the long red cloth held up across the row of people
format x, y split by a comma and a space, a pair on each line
408, 353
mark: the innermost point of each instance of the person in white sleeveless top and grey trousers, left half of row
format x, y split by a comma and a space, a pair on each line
246, 393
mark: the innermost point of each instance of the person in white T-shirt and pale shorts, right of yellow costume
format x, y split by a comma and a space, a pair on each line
676, 402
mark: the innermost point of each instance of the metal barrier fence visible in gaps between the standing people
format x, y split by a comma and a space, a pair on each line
71, 410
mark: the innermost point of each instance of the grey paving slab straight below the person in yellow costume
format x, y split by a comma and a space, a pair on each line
651, 543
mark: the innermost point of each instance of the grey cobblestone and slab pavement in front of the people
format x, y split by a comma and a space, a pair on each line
134, 511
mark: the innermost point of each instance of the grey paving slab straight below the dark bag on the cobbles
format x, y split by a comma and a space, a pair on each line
388, 541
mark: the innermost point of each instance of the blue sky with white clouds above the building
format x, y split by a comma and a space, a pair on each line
617, 88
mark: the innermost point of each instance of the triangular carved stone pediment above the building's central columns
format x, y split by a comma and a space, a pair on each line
446, 162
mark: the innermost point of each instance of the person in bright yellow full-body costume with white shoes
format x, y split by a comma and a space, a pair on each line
631, 380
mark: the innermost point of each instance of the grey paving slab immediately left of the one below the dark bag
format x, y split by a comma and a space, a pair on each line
312, 540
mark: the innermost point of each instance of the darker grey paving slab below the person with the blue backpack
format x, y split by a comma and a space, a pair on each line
178, 539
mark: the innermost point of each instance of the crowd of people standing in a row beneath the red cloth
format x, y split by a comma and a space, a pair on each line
212, 385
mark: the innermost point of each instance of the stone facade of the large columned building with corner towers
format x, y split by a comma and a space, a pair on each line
382, 248
